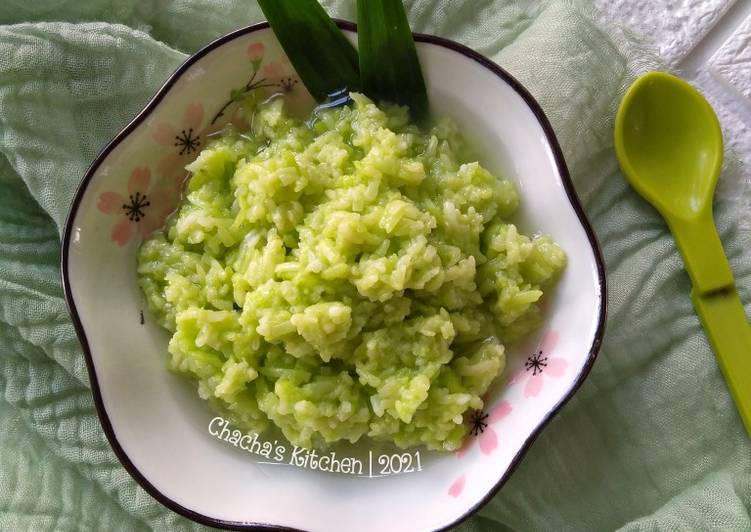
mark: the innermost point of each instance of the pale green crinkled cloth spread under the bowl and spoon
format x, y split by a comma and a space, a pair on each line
650, 442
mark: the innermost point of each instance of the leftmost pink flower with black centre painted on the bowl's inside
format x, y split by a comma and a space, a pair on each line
143, 209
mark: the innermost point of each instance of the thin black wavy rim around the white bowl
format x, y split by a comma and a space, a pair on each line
143, 114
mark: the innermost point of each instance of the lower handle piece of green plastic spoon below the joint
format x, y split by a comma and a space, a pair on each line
725, 322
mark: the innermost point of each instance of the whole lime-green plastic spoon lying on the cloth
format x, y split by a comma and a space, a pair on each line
669, 144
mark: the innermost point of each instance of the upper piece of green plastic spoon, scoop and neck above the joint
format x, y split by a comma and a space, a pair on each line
669, 143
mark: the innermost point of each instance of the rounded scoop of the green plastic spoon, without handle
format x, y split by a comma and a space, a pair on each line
669, 142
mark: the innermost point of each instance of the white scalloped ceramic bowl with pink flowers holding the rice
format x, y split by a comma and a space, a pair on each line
155, 421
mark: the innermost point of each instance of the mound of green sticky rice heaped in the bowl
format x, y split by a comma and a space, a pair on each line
348, 276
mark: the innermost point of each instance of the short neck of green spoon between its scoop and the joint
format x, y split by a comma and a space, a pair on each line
702, 252
